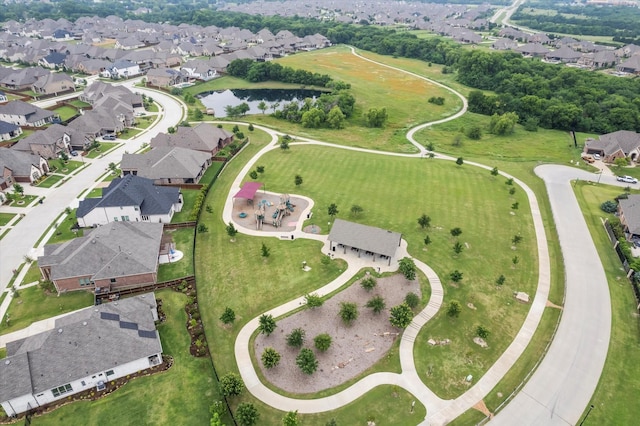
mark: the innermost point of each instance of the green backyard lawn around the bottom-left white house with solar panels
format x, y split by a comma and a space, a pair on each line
182, 395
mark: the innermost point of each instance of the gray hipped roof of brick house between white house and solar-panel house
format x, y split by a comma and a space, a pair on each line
118, 249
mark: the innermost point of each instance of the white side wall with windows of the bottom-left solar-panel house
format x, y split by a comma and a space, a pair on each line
25, 402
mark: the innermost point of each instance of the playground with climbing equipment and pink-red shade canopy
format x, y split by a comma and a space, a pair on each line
269, 212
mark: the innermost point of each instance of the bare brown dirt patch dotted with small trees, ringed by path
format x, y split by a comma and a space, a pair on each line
353, 349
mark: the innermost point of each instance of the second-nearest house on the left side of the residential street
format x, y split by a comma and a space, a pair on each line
51, 142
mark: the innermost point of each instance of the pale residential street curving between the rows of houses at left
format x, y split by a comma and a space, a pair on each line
22, 238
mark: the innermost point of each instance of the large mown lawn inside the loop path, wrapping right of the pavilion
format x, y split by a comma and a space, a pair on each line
394, 192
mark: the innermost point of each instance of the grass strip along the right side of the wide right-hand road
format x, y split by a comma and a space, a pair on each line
614, 399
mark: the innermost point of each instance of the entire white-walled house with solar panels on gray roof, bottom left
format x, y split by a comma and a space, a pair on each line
83, 351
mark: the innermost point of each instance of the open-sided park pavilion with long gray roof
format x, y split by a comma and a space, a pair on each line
362, 238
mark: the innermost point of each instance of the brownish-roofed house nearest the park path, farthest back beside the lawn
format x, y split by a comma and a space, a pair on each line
204, 137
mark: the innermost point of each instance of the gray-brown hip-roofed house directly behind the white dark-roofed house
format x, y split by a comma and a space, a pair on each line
167, 165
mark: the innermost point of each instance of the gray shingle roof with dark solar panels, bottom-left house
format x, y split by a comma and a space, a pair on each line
86, 344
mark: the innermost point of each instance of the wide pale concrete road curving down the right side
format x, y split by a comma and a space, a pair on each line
563, 384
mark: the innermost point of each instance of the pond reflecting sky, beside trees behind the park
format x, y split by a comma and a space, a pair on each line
274, 98
